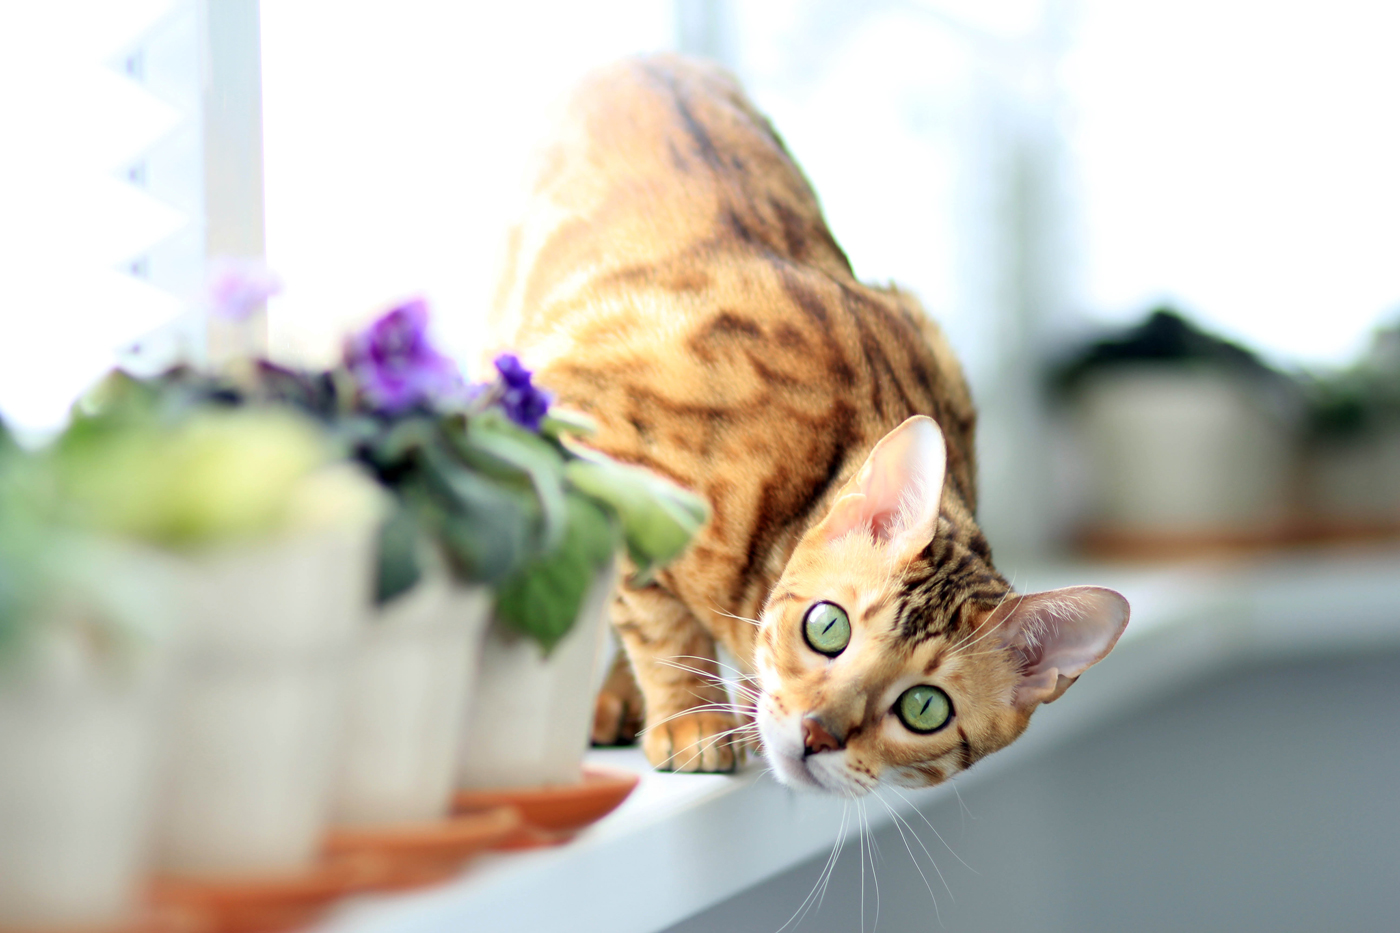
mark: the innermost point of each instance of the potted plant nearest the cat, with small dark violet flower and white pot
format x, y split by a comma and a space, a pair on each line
541, 665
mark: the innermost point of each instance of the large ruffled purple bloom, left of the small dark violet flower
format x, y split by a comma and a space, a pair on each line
395, 366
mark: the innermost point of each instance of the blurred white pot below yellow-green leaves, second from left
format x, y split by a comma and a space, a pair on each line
255, 722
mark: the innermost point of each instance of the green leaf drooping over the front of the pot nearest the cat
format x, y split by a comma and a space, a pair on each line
542, 600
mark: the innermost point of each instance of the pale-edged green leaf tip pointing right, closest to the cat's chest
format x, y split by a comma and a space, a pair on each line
659, 518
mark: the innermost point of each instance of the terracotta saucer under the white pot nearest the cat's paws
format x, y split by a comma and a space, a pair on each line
554, 813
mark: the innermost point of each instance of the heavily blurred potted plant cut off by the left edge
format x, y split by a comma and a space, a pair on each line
83, 645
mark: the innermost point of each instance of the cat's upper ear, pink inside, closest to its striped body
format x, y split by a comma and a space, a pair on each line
895, 497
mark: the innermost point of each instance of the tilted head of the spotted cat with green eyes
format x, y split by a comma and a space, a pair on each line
892, 651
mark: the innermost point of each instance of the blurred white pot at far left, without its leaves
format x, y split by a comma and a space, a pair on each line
79, 726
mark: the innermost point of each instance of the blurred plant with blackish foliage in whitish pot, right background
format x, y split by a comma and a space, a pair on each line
1188, 438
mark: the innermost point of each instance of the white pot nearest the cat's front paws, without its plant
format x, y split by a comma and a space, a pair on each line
530, 721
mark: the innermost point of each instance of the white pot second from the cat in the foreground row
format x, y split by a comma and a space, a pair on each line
409, 684
